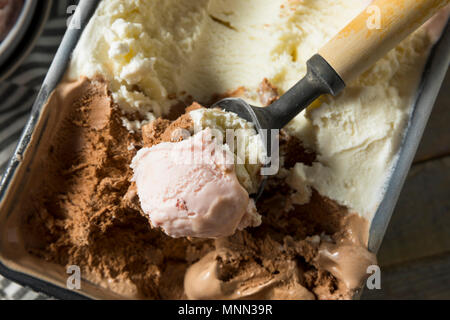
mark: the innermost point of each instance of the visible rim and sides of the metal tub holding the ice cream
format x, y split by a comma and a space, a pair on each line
17, 265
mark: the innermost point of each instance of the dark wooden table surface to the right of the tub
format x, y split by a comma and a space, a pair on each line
415, 254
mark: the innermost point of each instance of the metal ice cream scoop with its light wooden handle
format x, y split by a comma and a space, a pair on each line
364, 41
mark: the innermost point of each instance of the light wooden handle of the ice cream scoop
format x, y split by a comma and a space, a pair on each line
375, 32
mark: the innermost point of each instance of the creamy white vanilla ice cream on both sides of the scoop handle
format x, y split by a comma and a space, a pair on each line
157, 53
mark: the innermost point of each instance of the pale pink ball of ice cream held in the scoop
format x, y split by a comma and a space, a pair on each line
190, 189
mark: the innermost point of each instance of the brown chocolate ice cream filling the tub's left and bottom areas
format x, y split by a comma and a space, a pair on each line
86, 212
